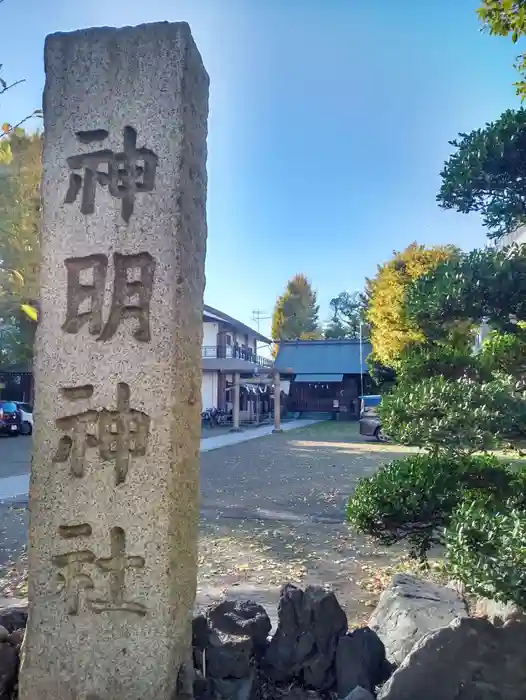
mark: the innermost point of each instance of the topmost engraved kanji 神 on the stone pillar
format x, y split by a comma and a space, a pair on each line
124, 176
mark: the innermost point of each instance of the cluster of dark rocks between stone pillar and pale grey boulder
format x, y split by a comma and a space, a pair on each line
311, 650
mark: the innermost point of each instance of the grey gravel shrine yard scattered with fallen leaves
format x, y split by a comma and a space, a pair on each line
272, 511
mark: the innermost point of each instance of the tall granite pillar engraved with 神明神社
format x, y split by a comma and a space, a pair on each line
114, 496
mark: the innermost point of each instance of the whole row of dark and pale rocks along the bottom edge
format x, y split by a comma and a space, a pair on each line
420, 643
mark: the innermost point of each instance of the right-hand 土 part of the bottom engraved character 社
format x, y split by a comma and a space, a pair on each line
116, 566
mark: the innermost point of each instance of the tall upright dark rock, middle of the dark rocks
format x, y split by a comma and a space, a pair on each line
304, 646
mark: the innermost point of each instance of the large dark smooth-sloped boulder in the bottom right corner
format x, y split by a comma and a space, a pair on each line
469, 660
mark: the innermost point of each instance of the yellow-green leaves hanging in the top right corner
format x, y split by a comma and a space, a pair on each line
505, 18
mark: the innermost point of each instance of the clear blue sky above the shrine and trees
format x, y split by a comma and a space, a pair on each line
329, 124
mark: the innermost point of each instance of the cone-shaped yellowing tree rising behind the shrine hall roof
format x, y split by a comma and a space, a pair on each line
296, 312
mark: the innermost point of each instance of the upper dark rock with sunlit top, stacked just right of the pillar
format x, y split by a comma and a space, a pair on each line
247, 619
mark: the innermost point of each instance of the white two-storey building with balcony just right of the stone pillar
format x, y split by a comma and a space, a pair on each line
230, 346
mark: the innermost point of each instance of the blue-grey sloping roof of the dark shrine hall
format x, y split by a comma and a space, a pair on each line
322, 357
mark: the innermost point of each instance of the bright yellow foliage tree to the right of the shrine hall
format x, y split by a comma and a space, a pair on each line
391, 330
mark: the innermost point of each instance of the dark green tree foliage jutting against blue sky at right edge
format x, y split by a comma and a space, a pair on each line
487, 174
